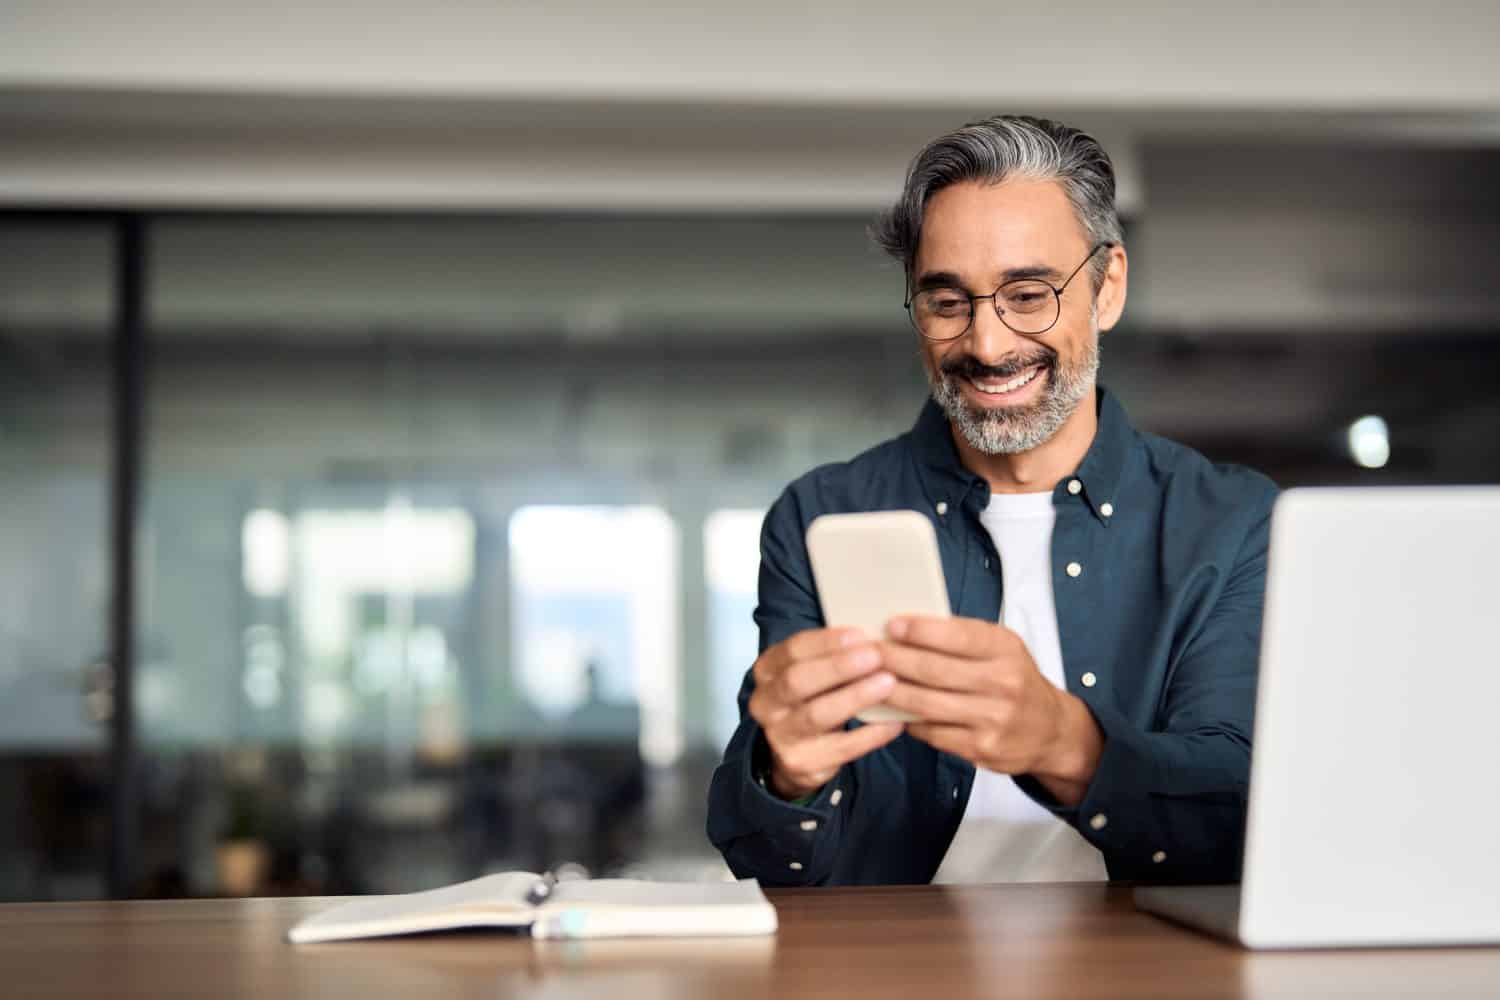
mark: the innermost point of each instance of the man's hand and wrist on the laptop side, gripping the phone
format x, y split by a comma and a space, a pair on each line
979, 695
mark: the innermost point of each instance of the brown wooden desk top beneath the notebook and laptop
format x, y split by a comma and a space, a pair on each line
914, 944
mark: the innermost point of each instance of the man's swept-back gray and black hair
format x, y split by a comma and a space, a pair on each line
995, 151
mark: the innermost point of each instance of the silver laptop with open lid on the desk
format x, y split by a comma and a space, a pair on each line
1375, 797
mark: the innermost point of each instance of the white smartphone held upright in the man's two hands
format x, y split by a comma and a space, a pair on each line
872, 567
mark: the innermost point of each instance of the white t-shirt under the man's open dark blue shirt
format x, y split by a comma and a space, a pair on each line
1006, 836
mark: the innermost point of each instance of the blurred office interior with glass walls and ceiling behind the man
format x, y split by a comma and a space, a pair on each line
457, 350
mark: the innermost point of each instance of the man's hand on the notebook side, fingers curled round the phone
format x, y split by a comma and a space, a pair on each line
806, 689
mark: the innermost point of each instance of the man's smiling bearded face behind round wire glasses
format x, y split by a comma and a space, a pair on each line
1003, 391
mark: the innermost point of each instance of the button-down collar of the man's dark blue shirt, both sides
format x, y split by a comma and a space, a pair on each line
947, 482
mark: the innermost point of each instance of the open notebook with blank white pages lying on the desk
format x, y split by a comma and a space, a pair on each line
605, 908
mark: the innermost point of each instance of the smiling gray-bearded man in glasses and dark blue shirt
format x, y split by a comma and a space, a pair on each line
1087, 713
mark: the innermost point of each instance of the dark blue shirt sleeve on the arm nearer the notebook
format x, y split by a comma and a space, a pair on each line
760, 834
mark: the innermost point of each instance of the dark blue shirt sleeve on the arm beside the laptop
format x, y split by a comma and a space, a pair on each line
1169, 806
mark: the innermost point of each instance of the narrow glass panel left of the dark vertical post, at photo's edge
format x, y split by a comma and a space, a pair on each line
55, 557
